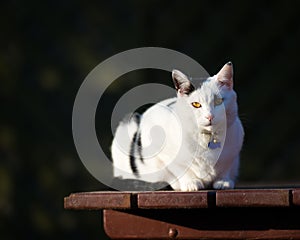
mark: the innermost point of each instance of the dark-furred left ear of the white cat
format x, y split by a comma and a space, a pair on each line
182, 83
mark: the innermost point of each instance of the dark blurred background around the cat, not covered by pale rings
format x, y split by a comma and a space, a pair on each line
48, 48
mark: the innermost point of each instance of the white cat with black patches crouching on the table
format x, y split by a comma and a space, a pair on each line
192, 141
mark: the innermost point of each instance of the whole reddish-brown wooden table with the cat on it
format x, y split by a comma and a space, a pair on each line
223, 214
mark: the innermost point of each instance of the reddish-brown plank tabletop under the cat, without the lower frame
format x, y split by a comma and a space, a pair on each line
271, 197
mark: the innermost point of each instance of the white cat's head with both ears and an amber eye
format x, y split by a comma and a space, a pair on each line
213, 102
